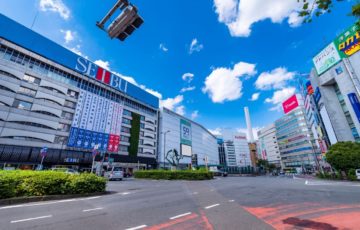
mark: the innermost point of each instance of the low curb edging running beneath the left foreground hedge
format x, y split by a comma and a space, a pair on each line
21, 200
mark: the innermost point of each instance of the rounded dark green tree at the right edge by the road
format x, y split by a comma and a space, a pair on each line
344, 156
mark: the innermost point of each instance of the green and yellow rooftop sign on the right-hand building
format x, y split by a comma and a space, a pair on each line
348, 42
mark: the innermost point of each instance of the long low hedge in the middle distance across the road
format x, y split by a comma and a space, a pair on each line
174, 175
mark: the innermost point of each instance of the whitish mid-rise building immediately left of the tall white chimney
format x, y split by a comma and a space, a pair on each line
236, 149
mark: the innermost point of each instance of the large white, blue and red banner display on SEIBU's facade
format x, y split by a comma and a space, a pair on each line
97, 120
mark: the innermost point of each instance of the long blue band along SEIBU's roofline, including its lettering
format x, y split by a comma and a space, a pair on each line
30, 40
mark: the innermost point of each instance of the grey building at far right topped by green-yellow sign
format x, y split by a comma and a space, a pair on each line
335, 80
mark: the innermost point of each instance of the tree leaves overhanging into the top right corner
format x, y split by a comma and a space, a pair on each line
319, 7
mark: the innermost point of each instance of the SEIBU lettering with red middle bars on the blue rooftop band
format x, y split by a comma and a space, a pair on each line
91, 70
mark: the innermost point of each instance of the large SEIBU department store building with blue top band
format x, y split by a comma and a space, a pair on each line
51, 97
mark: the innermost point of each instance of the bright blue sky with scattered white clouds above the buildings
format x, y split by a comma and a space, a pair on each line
205, 58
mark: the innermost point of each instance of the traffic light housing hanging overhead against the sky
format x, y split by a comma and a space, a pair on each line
124, 24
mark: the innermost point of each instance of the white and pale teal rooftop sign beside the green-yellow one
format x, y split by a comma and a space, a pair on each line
327, 58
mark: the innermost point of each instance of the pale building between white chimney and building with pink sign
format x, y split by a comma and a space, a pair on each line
268, 147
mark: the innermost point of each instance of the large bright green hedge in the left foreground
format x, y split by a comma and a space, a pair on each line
39, 183
